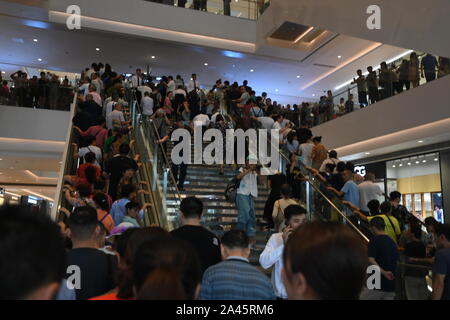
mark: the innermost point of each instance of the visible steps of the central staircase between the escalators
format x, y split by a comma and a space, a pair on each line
219, 215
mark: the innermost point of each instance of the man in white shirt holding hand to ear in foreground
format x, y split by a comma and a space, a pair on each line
272, 255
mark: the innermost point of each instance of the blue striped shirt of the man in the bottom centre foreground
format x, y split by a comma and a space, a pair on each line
235, 279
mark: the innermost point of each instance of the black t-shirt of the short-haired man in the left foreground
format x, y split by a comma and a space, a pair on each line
97, 271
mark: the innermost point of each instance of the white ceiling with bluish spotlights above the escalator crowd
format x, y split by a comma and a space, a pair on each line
69, 51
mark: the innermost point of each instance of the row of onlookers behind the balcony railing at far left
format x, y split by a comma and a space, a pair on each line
44, 92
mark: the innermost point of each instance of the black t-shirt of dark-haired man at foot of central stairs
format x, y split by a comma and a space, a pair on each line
204, 241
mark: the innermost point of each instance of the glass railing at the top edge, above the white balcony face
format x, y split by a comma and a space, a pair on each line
247, 9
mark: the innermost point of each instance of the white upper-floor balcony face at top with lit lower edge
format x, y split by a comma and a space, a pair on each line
144, 13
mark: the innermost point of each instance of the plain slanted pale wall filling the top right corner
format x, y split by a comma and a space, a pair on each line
412, 24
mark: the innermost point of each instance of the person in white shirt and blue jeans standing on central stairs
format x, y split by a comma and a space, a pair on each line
245, 195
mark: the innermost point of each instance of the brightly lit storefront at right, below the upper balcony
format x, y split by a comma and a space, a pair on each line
417, 178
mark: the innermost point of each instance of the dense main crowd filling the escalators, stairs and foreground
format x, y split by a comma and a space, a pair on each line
104, 234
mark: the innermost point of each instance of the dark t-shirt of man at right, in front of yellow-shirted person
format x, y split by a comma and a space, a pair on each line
384, 250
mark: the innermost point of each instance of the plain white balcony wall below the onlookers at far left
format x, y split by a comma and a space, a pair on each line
36, 124
